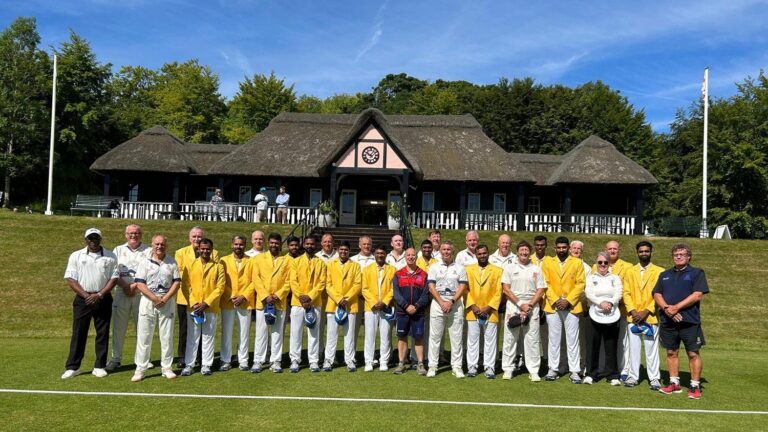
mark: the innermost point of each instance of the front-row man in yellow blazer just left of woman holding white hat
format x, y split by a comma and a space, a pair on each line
565, 278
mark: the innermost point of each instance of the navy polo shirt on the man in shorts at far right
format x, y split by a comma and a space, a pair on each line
676, 285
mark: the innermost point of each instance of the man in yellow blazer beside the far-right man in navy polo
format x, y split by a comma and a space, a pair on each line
639, 282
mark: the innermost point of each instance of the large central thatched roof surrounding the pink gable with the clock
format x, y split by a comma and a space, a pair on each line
435, 147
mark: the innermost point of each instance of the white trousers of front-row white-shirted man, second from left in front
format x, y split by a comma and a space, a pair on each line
149, 316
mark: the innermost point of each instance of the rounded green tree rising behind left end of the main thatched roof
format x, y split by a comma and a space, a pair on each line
256, 103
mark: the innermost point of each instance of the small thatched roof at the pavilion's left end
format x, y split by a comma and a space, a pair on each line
155, 149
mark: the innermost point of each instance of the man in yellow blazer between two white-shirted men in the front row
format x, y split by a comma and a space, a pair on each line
483, 299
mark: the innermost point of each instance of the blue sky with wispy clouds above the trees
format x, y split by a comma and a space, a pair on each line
653, 52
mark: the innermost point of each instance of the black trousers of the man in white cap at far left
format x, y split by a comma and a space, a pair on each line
101, 313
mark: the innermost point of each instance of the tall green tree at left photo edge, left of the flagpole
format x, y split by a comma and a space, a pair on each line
24, 89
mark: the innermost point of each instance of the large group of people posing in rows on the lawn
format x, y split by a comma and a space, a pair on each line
615, 309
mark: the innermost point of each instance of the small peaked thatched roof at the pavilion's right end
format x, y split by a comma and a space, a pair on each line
595, 160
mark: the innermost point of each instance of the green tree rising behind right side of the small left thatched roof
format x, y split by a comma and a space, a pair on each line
187, 101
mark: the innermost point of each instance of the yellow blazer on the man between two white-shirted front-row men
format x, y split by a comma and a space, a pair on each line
483, 290
